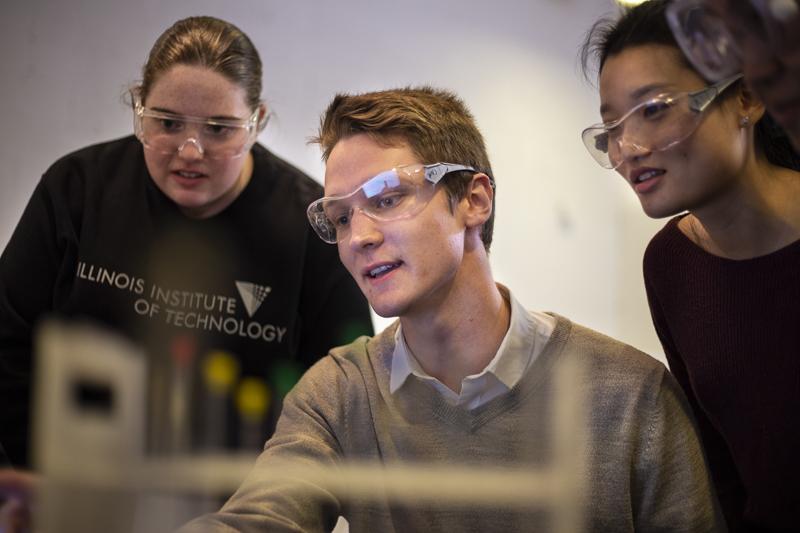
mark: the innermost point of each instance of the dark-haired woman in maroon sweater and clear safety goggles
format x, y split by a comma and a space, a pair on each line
722, 277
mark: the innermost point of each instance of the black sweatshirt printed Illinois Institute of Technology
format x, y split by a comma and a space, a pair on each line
98, 241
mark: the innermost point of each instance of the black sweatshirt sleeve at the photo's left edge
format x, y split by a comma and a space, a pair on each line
32, 272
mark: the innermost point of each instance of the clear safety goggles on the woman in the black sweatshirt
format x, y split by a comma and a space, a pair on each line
169, 133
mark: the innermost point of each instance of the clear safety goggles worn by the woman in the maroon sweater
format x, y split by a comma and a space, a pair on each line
655, 125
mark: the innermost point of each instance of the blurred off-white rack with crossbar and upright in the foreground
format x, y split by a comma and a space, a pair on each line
90, 445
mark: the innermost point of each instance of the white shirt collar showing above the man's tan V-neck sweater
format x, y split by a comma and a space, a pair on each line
525, 339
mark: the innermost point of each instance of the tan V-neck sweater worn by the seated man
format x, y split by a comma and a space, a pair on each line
645, 470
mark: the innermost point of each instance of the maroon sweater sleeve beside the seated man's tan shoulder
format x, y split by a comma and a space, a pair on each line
723, 470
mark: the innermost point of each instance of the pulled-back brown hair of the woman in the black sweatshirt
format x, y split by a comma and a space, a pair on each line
206, 42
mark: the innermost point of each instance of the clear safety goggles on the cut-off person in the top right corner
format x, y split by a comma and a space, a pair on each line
707, 41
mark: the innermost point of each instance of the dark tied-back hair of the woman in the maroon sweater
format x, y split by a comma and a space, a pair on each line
647, 24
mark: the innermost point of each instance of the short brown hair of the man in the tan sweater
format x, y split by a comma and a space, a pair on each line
435, 123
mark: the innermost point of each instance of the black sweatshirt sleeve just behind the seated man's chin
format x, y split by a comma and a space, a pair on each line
334, 312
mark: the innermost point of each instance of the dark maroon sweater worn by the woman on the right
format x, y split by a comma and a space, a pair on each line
731, 333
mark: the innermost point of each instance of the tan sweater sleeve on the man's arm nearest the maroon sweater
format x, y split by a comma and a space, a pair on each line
672, 488
